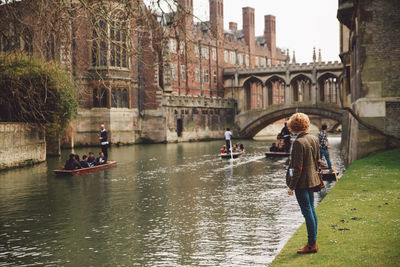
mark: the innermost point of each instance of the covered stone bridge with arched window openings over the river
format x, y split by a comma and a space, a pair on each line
265, 95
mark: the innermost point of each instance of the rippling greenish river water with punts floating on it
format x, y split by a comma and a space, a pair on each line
163, 205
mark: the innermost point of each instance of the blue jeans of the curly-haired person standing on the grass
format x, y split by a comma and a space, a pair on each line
305, 198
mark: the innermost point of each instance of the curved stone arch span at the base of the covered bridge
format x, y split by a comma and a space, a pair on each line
253, 123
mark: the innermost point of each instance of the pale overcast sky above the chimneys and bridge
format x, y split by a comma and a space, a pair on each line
300, 24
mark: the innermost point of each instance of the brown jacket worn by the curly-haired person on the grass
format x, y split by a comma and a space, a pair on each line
305, 174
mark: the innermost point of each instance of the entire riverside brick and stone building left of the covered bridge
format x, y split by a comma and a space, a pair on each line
142, 78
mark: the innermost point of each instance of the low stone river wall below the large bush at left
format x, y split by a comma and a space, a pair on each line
20, 145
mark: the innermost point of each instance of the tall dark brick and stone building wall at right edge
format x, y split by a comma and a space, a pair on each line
370, 50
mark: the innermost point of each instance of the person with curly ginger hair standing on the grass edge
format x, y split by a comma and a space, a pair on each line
303, 175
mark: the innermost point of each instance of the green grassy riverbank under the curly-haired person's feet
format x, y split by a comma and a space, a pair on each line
358, 221
